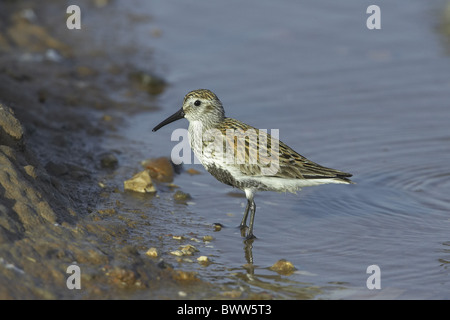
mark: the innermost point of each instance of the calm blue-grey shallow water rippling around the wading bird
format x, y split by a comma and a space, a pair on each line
371, 102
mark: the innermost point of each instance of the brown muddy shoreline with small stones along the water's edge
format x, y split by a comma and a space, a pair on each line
54, 209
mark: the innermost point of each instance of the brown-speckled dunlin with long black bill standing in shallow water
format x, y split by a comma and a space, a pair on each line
244, 157
